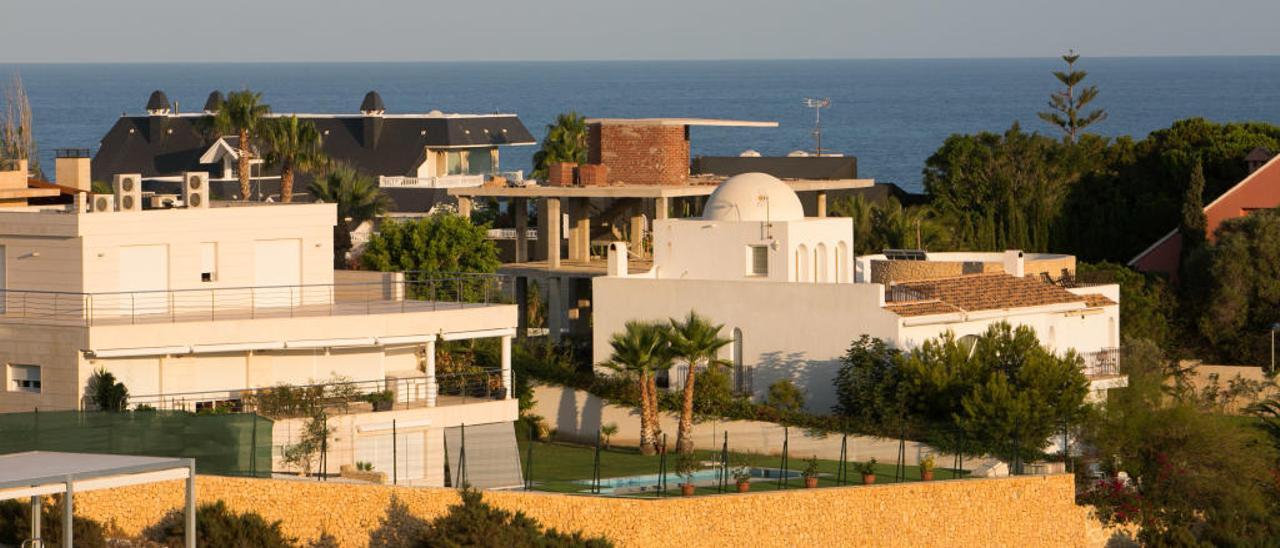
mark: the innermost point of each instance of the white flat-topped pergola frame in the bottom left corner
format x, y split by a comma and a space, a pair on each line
39, 473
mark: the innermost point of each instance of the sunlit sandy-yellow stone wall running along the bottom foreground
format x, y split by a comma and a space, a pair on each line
1028, 512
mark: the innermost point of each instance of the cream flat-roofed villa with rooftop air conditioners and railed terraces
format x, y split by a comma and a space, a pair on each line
194, 307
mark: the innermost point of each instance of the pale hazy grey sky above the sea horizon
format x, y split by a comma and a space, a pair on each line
127, 31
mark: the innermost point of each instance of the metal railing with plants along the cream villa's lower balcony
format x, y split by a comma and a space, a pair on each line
289, 401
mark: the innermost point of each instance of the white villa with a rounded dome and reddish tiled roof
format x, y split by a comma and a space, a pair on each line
793, 298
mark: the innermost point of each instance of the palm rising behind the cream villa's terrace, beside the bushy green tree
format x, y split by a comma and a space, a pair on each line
359, 200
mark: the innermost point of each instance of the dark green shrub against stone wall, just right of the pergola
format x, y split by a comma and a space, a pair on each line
217, 526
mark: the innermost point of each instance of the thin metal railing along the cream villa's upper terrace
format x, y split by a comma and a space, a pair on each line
415, 294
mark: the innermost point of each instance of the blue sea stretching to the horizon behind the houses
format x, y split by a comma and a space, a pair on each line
892, 115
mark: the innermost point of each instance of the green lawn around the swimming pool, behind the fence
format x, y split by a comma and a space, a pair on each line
557, 465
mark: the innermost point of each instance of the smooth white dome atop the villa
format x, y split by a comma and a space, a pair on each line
753, 198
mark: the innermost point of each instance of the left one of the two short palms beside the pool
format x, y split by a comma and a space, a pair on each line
642, 350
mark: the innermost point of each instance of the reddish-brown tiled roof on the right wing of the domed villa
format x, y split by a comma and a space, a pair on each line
973, 293
